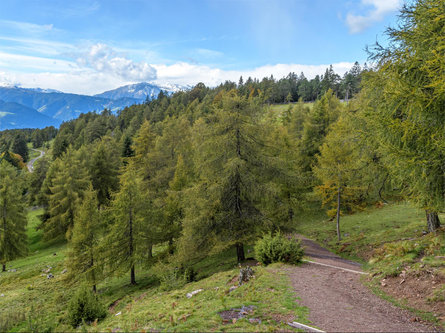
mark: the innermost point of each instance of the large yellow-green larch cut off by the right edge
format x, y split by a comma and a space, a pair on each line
406, 98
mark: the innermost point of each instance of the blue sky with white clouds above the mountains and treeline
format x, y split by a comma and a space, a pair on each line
90, 46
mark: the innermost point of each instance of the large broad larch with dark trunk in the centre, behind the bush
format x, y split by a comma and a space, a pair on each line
222, 207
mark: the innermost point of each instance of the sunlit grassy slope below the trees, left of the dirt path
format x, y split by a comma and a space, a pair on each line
31, 301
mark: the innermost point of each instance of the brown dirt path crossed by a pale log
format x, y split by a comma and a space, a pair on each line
339, 302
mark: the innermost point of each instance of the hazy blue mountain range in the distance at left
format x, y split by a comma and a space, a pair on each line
38, 108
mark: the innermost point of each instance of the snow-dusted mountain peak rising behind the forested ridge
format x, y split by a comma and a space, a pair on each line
141, 91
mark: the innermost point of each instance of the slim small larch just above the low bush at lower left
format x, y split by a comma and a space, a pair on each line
83, 256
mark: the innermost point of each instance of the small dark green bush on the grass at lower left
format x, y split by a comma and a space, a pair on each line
84, 306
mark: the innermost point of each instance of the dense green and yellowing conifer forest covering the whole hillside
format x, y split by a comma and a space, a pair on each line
162, 186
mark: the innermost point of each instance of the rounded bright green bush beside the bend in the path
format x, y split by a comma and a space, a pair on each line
278, 248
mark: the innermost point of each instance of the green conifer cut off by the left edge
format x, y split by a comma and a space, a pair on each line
13, 238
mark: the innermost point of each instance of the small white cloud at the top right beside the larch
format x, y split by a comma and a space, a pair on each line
358, 23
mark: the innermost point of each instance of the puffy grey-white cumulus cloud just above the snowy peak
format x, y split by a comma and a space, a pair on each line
104, 59
